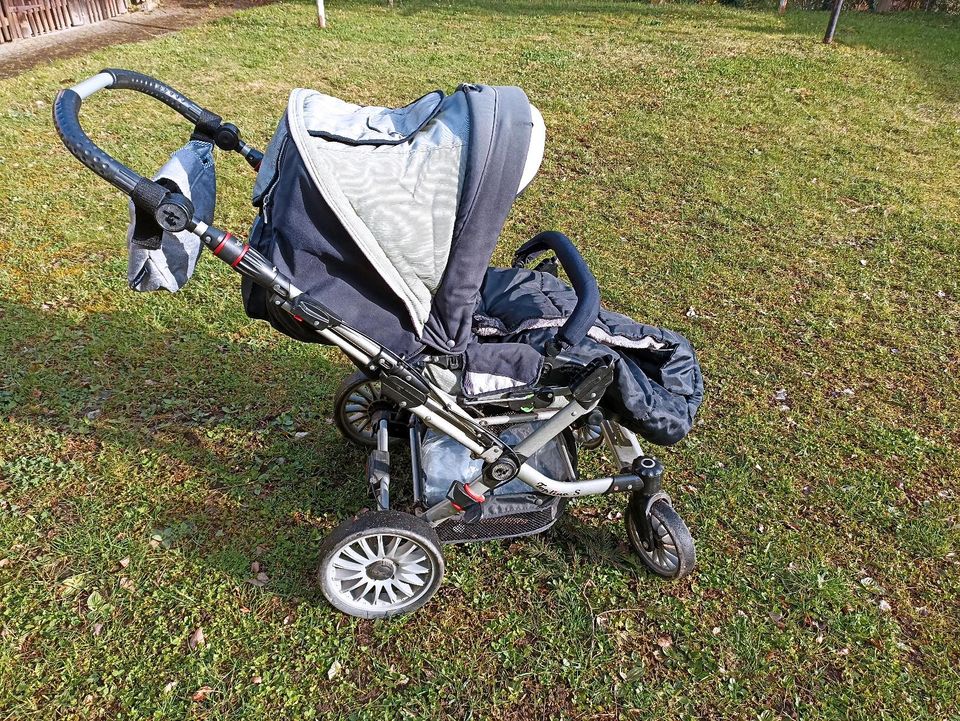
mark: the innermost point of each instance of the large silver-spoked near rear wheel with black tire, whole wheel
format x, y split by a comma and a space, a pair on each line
384, 563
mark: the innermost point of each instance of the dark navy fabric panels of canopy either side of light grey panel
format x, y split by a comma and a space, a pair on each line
299, 231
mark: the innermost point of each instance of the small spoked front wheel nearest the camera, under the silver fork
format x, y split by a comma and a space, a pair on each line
660, 537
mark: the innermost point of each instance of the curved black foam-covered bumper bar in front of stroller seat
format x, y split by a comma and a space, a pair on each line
585, 313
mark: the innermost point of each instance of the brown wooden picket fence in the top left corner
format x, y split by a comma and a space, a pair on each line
26, 18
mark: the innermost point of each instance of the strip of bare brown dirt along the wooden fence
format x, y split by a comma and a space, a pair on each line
135, 26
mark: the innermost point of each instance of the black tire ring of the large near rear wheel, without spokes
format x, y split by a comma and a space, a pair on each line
372, 523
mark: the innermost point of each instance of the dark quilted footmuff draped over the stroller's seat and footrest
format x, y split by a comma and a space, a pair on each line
658, 386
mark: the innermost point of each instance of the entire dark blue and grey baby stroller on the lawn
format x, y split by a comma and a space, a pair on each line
374, 231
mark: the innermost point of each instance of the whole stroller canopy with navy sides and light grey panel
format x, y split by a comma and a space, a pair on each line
390, 216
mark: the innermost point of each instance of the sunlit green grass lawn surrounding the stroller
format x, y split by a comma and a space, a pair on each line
802, 200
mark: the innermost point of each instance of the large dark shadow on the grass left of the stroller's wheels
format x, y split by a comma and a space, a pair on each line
227, 448
